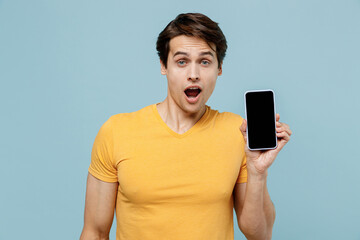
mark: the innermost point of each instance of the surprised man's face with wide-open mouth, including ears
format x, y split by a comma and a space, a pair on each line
192, 70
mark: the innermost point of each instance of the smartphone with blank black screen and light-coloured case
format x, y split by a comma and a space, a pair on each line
261, 119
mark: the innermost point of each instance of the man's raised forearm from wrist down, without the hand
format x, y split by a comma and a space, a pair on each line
258, 213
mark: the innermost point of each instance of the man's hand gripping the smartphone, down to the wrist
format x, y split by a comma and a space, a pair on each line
259, 161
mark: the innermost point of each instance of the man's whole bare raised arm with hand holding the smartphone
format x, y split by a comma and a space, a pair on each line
254, 209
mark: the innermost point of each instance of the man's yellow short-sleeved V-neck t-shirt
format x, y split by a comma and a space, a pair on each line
171, 186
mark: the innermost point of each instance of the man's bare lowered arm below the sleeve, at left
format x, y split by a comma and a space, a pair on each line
99, 209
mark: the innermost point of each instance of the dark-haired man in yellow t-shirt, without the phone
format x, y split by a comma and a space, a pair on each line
176, 169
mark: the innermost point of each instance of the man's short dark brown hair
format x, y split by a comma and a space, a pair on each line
192, 25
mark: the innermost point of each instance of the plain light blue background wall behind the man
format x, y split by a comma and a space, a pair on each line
67, 66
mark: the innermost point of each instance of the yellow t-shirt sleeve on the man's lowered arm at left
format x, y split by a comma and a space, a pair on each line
102, 164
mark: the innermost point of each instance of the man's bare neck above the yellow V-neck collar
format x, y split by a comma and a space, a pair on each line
176, 118
